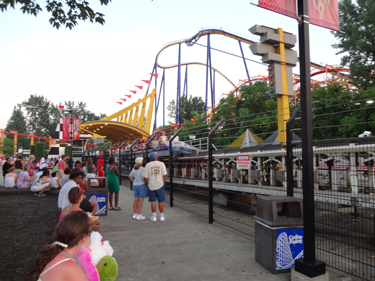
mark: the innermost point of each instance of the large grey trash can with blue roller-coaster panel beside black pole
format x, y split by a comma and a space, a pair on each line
278, 232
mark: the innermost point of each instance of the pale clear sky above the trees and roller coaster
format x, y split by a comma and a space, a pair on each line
99, 64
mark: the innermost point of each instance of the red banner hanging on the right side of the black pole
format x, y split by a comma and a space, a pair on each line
325, 13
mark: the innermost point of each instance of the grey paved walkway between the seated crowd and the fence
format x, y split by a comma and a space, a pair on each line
184, 247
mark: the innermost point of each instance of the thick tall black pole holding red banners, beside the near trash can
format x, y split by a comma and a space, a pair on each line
308, 265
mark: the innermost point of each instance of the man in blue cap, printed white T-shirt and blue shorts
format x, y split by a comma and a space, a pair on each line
155, 175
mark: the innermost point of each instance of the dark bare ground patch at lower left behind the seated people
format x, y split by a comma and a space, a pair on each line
26, 224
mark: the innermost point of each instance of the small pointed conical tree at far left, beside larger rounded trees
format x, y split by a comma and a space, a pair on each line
17, 122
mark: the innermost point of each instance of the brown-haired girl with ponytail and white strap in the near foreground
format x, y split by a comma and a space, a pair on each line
59, 261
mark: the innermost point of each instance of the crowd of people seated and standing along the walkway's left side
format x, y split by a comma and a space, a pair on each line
59, 261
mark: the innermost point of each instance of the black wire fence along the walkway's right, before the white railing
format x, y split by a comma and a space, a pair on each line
343, 177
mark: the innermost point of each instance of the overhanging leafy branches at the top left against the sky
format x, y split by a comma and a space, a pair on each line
63, 13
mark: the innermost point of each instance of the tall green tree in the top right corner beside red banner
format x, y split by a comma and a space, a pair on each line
357, 40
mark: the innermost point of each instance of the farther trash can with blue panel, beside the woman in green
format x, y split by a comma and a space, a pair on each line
98, 193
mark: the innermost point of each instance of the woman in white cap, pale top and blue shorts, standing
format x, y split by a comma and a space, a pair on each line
140, 188
